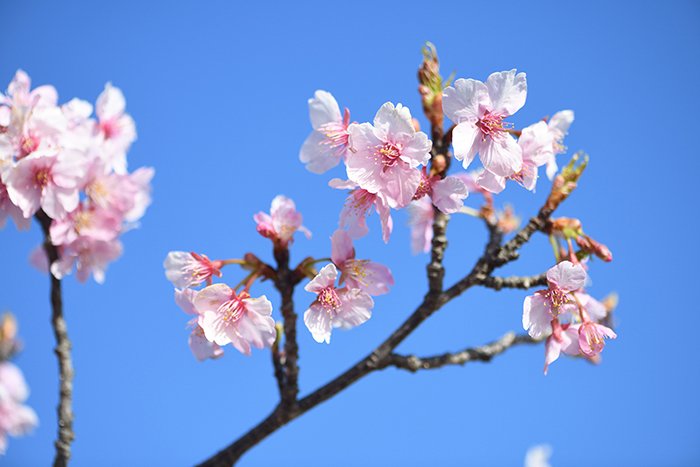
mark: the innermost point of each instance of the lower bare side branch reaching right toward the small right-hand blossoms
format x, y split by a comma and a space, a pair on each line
483, 354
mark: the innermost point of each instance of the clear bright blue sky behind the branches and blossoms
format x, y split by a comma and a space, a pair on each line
218, 91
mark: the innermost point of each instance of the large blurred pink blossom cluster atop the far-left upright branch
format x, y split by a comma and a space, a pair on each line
59, 161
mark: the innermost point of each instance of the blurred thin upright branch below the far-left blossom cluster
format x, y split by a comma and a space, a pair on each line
62, 350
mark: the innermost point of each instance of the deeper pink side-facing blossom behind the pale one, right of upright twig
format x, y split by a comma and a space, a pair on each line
363, 274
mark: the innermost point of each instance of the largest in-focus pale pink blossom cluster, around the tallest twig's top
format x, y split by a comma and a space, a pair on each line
386, 160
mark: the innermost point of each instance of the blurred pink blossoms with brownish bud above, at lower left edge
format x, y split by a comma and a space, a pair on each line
16, 418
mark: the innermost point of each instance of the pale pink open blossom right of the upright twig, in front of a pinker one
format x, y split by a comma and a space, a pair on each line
333, 307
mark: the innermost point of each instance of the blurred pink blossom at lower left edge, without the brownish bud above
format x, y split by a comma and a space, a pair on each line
16, 419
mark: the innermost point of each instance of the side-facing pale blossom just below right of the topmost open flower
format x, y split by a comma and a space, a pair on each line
536, 145
